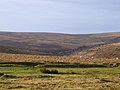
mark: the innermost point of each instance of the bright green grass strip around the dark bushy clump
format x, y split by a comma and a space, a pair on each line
36, 70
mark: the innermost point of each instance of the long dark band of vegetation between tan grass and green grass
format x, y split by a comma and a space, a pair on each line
58, 65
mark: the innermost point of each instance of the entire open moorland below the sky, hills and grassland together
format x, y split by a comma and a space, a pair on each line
52, 61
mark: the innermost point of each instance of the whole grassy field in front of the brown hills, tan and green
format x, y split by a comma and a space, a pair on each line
23, 72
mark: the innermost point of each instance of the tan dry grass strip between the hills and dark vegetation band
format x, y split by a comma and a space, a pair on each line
41, 58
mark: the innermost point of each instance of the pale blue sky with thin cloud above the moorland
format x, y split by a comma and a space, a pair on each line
62, 16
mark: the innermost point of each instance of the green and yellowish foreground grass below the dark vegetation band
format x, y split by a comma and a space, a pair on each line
18, 77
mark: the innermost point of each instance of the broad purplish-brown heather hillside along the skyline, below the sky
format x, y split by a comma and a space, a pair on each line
53, 43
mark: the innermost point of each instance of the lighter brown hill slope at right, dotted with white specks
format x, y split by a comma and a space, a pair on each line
110, 51
